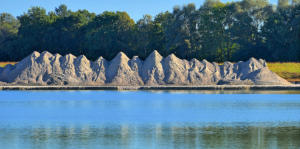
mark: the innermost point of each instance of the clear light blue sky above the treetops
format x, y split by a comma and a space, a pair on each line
135, 8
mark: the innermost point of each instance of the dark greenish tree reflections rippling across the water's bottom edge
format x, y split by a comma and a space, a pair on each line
151, 136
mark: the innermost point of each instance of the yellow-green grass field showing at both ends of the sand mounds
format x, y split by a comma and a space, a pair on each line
289, 70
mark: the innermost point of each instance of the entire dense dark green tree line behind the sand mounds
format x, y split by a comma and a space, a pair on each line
216, 31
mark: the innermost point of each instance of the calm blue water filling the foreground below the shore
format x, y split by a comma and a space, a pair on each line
158, 120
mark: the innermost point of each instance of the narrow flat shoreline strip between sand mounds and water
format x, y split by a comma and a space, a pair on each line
202, 87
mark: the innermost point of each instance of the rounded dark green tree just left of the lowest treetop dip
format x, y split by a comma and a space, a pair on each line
110, 33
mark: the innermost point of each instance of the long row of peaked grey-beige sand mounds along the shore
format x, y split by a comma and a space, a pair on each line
47, 69
